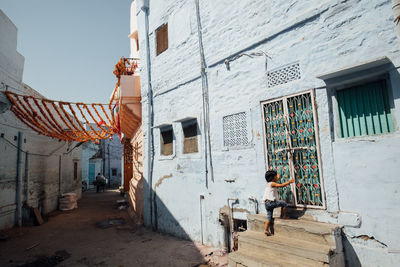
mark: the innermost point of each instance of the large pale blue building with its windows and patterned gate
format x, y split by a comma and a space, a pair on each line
308, 88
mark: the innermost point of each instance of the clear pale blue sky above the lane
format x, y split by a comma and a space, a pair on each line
71, 46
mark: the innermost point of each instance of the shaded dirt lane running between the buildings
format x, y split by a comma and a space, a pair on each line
98, 234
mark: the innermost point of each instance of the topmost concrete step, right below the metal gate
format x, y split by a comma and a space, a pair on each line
311, 231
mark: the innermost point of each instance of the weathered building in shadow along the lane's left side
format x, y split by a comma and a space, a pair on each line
34, 169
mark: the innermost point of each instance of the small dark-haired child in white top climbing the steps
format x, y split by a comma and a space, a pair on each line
271, 197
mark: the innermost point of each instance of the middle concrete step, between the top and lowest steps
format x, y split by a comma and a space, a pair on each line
262, 244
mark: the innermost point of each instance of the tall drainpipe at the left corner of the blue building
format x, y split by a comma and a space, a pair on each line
150, 115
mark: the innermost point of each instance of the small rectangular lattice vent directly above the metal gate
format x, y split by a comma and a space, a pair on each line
283, 75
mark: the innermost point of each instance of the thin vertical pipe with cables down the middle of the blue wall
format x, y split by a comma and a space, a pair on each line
204, 87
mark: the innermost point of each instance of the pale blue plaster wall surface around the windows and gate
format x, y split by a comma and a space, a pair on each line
323, 36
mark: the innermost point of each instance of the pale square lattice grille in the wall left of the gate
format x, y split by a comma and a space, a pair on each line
235, 130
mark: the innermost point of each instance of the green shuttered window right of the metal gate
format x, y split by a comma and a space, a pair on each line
364, 110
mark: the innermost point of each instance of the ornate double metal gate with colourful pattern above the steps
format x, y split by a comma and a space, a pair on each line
292, 148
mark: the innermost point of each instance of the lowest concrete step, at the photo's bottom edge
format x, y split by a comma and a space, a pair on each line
250, 258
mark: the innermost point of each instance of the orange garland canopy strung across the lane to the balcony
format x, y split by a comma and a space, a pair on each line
69, 121
